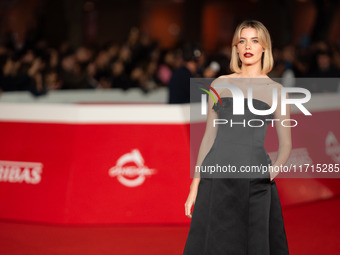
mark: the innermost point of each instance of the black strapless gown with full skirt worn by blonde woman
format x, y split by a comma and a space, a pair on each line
237, 216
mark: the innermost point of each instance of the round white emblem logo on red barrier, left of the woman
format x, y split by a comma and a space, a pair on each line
130, 169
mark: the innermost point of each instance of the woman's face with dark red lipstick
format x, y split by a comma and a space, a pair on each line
249, 49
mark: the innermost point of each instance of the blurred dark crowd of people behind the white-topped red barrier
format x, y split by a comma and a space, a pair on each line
140, 62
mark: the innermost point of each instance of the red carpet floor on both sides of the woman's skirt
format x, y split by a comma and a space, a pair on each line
312, 229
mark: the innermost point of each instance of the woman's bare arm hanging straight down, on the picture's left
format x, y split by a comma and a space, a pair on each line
206, 144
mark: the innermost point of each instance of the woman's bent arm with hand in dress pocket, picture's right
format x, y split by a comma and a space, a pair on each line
283, 133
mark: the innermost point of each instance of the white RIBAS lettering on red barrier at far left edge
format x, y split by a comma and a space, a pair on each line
20, 172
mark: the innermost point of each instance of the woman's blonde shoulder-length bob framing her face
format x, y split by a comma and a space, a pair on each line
267, 61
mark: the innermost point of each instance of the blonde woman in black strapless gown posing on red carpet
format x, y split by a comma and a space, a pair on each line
240, 216
